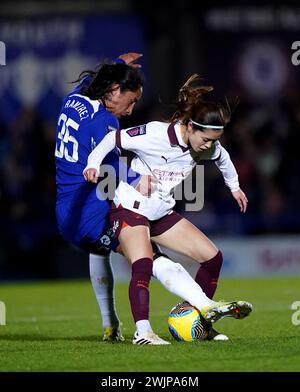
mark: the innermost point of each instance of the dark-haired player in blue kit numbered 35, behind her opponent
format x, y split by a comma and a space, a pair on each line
88, 113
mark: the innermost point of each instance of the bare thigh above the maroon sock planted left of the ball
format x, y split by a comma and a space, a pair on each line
135, 243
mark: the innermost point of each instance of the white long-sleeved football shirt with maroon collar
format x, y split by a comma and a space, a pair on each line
160, 152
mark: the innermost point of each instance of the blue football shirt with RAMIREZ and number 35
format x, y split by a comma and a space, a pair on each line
82, 124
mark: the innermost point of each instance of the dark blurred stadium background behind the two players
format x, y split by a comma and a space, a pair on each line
244, 49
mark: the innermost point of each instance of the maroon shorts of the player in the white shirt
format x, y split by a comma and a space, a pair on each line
121, 217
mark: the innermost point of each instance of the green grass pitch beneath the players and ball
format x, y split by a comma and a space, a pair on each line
55, 326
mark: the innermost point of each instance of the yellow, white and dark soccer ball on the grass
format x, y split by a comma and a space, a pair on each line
186, 323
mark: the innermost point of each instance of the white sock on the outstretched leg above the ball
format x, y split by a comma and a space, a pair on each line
178, 281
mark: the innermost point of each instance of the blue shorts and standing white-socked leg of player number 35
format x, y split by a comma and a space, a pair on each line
85, 226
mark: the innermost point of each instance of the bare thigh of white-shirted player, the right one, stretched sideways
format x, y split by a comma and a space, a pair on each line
187, 239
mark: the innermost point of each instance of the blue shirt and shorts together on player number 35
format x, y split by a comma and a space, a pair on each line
81, 215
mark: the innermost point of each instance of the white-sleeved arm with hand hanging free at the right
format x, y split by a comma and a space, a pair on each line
230, 176
